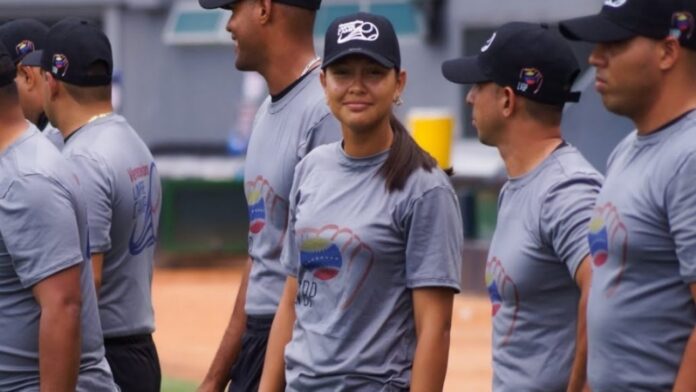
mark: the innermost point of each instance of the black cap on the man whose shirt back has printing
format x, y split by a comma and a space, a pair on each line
72, 47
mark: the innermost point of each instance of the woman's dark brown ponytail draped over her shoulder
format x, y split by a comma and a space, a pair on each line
405, 157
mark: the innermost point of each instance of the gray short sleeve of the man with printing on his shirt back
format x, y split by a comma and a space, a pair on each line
96, 183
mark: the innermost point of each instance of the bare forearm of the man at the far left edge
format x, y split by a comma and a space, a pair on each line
59, 347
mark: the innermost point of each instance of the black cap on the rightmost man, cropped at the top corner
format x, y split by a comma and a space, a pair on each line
620, 20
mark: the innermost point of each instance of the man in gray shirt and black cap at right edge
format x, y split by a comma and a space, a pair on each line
641, 310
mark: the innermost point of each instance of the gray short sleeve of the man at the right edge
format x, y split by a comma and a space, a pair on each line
680, 202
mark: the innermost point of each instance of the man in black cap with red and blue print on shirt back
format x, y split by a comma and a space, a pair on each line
122, 191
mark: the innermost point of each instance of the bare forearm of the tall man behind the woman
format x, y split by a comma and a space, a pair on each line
231, 344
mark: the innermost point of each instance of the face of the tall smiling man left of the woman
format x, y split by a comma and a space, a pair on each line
245, 31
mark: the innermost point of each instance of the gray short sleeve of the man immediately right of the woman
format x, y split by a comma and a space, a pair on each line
565, 216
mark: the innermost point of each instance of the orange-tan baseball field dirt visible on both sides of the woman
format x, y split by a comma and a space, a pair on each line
193, 305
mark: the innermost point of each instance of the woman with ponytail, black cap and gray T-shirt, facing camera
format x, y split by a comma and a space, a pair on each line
374, 241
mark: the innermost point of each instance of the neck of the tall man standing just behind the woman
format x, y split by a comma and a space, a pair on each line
286, 67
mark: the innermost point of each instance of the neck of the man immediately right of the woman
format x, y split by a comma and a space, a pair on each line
524, 151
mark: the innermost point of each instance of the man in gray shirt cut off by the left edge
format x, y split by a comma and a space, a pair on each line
51, 337
